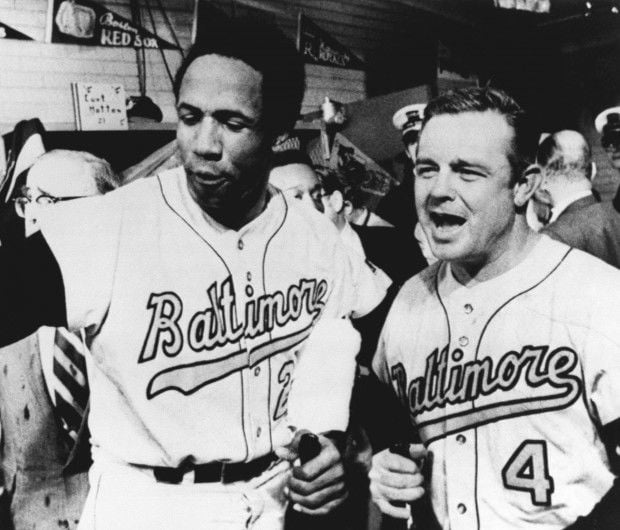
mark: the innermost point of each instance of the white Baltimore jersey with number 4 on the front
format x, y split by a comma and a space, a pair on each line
507, 382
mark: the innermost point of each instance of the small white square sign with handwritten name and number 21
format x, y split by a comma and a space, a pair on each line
99, 106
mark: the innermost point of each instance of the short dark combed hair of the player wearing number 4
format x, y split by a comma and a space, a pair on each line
473, 99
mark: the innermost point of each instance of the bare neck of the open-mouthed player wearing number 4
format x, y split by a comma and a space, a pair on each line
510, 252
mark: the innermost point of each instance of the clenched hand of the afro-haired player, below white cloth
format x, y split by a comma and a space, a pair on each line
318, 486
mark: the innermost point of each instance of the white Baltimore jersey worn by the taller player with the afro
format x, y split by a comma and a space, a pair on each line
194, 329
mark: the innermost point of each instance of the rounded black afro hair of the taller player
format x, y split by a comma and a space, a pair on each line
262, 46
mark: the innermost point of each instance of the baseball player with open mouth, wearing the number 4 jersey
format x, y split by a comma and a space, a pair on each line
505, 353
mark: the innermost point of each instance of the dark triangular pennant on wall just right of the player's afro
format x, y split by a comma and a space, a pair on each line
319, 47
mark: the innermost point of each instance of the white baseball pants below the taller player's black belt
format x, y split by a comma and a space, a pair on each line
123, 497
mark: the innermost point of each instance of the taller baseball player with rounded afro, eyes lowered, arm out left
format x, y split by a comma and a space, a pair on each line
201, 290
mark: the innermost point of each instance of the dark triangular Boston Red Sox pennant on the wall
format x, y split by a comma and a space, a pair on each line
88, 23
